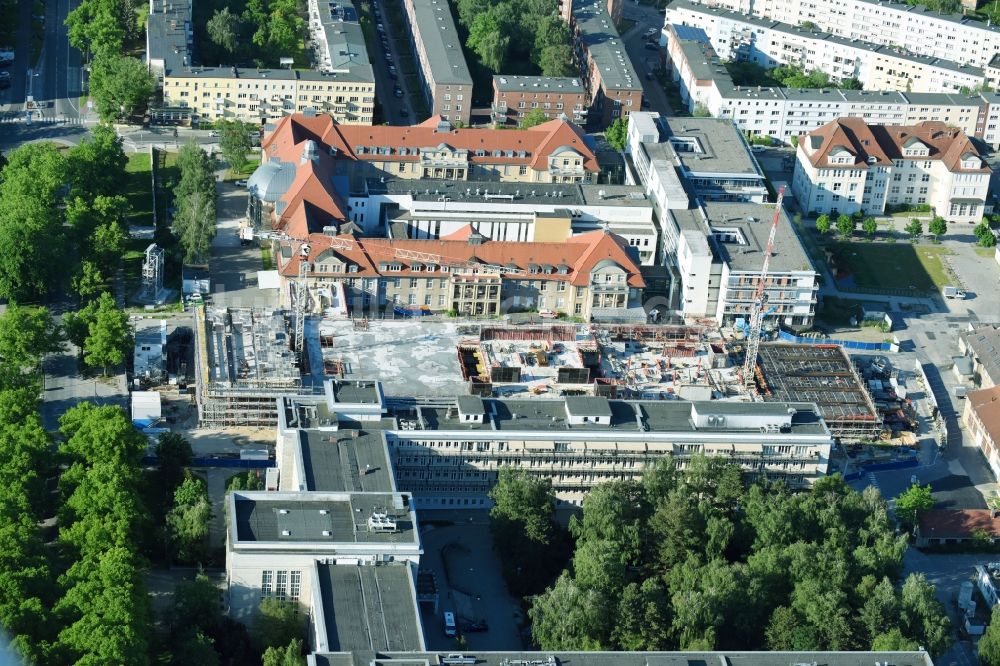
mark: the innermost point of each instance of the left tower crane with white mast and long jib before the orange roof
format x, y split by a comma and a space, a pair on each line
344, 243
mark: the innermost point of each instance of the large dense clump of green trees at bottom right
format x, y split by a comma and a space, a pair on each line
696, 560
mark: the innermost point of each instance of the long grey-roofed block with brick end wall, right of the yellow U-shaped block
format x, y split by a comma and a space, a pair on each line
444, 74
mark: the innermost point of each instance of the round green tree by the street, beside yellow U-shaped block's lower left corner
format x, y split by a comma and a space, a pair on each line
120, 85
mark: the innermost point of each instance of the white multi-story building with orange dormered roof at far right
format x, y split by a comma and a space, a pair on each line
848, 166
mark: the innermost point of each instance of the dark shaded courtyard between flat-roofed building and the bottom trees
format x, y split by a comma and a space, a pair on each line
458, 550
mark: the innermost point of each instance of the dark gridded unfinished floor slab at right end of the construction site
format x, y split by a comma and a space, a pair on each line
822, 374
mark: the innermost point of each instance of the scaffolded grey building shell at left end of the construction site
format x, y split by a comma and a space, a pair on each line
244, 365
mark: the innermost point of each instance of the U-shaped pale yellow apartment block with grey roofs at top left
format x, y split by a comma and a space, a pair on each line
343, 86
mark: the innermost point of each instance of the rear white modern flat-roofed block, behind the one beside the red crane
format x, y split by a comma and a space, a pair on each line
709, 154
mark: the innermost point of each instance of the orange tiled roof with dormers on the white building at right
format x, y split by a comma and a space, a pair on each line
879, 145
